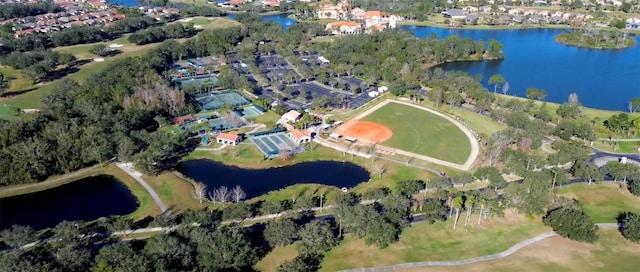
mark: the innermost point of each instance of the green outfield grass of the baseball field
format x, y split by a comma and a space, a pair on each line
422, 132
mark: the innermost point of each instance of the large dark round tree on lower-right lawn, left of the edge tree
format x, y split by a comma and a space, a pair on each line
572, 223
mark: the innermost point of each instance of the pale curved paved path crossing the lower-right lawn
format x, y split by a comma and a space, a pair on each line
502, 254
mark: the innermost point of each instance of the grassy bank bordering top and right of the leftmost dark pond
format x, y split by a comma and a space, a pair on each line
146, 204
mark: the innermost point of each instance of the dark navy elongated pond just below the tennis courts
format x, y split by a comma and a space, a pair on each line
256, 182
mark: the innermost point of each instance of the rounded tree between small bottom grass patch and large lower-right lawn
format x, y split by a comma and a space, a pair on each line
316, 237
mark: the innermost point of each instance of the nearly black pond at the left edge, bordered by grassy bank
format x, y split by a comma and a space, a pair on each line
86, 199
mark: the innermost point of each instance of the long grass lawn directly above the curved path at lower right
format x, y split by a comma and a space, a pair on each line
426, 242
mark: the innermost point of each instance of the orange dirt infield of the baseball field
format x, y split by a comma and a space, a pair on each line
363, 132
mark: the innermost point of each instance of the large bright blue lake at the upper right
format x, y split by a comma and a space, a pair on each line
605, 79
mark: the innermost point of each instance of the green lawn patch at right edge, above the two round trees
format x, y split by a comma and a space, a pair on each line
604, 201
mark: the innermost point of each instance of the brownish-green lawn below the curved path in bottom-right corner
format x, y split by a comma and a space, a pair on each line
612, 253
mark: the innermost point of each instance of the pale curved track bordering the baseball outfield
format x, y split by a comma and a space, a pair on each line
475, 149
